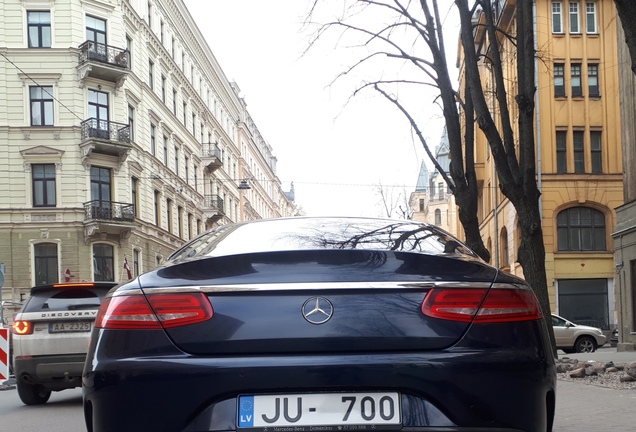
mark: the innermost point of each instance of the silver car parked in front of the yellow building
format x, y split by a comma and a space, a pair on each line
571, 337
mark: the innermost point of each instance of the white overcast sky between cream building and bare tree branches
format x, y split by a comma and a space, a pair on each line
337, 150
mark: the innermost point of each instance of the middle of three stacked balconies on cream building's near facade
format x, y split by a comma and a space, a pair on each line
105, 137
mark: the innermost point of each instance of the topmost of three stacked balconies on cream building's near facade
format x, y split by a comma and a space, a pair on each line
103, 62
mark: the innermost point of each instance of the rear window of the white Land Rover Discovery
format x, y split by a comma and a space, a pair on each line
65, 299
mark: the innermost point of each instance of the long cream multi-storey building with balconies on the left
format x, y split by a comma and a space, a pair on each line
122, 139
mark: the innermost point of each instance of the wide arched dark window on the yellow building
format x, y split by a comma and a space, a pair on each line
581, 229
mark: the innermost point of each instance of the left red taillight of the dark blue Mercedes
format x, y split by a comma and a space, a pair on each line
154, 311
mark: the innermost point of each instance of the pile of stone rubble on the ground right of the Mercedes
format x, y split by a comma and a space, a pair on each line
620, 375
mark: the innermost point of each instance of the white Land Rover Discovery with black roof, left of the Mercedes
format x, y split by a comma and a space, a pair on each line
50, 337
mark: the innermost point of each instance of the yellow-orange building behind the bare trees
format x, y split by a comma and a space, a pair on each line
579, 161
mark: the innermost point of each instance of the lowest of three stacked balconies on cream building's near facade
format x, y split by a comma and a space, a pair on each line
108, 219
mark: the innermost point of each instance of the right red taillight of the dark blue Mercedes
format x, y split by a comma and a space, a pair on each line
466, 305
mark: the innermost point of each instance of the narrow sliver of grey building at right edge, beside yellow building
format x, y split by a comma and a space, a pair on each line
625, 233
